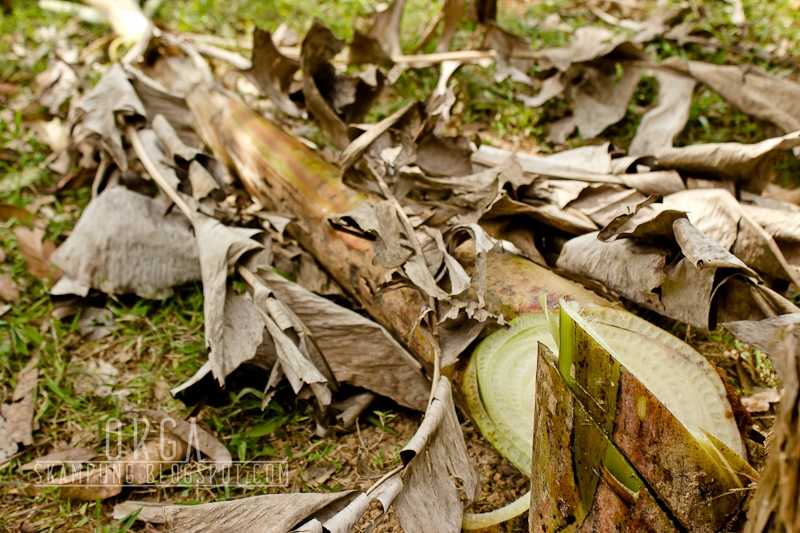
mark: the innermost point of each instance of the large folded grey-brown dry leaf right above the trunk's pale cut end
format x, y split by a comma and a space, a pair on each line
671, 267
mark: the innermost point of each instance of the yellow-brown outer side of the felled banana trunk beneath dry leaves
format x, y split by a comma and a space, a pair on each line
286, 176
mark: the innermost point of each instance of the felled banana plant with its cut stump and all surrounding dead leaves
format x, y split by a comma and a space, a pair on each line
358, 255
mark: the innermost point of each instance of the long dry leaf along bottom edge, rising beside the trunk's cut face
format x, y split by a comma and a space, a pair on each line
425, 498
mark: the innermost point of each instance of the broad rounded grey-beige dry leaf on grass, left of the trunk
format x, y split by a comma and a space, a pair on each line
123, 243
